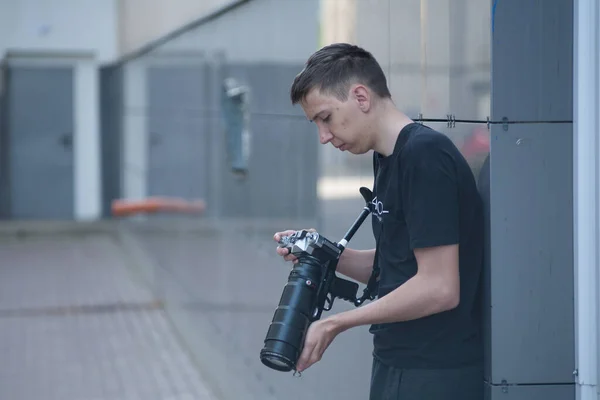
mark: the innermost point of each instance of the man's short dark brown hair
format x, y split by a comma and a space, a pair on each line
334, 68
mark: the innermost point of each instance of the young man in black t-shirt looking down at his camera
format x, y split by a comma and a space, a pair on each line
428, 227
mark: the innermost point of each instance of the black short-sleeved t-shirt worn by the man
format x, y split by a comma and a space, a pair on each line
426, 195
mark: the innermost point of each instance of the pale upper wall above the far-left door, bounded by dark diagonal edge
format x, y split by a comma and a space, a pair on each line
107, 28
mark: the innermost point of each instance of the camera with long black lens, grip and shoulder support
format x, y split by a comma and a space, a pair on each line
311, 287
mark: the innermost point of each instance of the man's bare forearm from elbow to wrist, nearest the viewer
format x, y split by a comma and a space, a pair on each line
418, 297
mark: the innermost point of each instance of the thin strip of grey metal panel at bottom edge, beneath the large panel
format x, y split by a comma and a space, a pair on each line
544, 392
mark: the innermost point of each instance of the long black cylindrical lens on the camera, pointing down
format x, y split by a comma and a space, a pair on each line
292, 317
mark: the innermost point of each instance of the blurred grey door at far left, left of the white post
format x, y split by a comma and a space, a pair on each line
40, 126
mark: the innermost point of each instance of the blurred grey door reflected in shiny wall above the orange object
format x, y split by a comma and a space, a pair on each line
177, 129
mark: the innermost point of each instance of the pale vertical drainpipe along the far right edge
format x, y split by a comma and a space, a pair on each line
586, 148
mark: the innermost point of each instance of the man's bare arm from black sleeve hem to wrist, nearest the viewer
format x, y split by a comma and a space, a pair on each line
435, 288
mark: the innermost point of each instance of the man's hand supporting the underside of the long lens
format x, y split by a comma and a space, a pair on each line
319, 336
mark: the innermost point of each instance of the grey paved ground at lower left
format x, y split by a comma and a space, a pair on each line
76, 324
